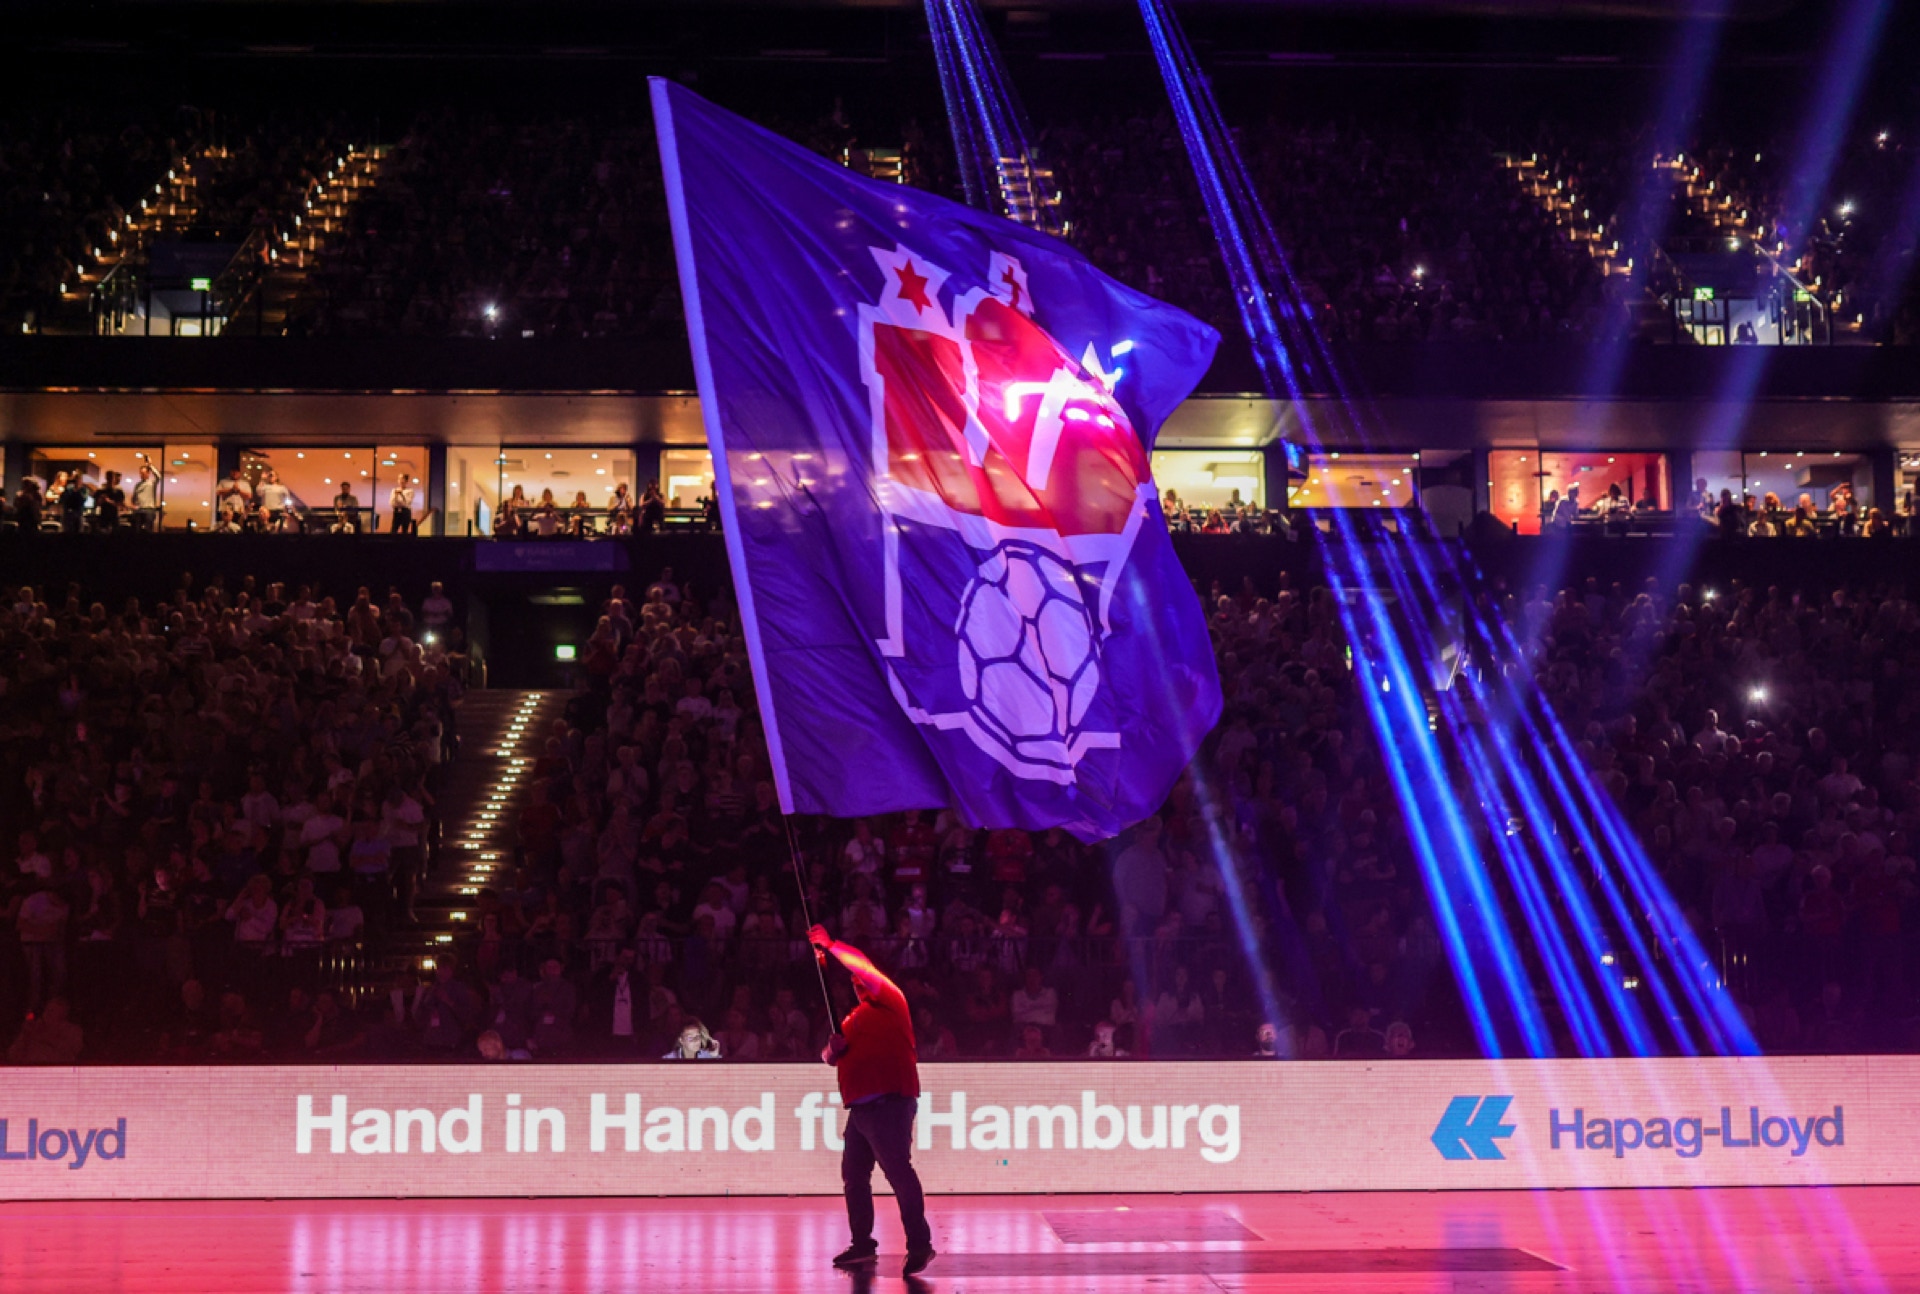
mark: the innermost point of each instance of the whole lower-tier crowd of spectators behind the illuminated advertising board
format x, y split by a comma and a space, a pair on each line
235, 773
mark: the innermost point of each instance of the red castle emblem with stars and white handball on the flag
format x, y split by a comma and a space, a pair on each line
990, 435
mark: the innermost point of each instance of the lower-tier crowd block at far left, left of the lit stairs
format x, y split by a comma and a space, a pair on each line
201, 798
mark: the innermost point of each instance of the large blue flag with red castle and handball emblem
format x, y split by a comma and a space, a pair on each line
930, 435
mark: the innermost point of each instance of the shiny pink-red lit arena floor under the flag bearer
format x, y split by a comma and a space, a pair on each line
1856, 1239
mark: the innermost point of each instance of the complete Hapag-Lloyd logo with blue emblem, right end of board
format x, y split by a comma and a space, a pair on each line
1472, 1126
